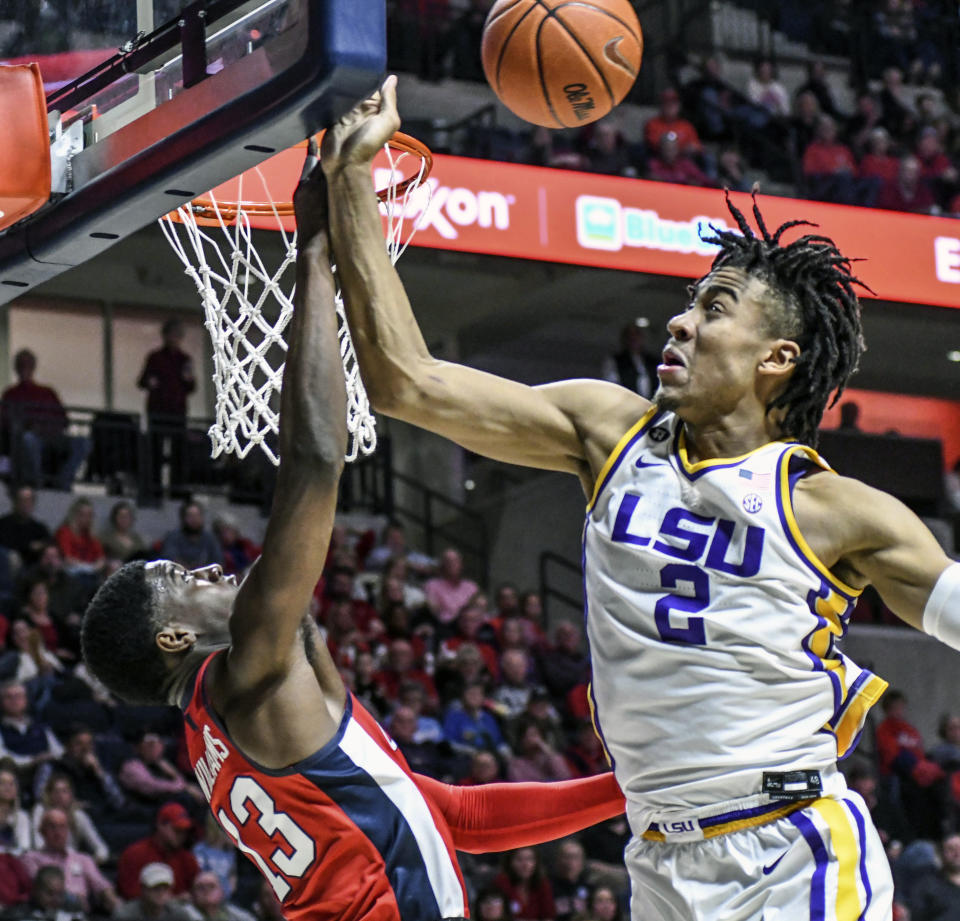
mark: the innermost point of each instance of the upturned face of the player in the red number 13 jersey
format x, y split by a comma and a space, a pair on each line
200, 598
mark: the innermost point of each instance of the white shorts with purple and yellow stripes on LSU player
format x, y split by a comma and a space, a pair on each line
824, 862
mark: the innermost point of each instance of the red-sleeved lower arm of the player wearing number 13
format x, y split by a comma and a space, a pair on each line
502, 816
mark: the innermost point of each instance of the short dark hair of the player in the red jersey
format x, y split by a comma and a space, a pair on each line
118, 637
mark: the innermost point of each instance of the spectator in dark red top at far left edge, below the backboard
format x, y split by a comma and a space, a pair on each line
35, 424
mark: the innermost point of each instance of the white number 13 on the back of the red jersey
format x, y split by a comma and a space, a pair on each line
299, 852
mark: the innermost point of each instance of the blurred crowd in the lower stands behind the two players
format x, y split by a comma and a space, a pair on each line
100, 814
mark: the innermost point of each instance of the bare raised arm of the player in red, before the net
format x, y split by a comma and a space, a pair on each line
272, 602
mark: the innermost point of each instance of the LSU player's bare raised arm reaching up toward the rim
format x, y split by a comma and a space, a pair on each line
570, 426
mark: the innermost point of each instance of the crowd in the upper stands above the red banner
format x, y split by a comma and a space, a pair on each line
898, 149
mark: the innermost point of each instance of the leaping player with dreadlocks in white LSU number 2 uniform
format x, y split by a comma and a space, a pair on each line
721, 556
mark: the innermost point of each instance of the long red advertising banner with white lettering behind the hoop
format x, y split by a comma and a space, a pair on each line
551, 215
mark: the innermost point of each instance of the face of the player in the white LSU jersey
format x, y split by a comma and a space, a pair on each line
716, 345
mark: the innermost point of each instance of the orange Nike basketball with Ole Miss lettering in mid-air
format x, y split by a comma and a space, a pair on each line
561, 63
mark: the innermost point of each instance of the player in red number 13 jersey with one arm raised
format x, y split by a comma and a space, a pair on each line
304, 781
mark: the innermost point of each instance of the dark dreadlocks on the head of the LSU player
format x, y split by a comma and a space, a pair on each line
812, 301
